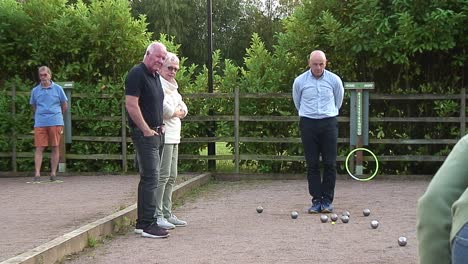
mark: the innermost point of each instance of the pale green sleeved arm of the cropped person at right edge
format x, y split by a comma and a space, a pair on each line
434, 216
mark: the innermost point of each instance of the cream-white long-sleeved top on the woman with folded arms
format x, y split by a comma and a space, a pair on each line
172, 101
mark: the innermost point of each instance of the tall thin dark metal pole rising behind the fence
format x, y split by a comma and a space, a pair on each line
211, 125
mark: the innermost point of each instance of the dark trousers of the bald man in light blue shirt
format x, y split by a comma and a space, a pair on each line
319, 138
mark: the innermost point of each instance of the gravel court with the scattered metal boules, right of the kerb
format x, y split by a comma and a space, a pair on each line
224, 227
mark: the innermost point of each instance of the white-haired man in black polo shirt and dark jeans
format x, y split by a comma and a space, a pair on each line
144, 103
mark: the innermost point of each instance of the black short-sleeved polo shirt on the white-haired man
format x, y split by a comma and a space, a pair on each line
140, 82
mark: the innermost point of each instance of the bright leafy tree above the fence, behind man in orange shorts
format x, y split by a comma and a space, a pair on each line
79, 42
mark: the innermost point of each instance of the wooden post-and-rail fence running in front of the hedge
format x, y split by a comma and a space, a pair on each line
237, 139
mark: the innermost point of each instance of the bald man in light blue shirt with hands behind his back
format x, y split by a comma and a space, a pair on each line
318, 95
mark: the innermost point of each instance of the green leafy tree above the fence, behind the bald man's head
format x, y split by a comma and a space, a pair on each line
398, 44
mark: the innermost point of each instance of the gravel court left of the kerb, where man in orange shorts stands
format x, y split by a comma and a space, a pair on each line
32, 214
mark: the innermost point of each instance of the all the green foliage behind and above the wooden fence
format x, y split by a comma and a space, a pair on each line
405, 47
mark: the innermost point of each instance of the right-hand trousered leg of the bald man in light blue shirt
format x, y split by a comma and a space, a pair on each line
328, 149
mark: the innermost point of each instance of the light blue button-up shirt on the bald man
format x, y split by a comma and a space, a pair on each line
318, 98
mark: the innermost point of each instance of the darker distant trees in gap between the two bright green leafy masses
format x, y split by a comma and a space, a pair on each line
234, 22
